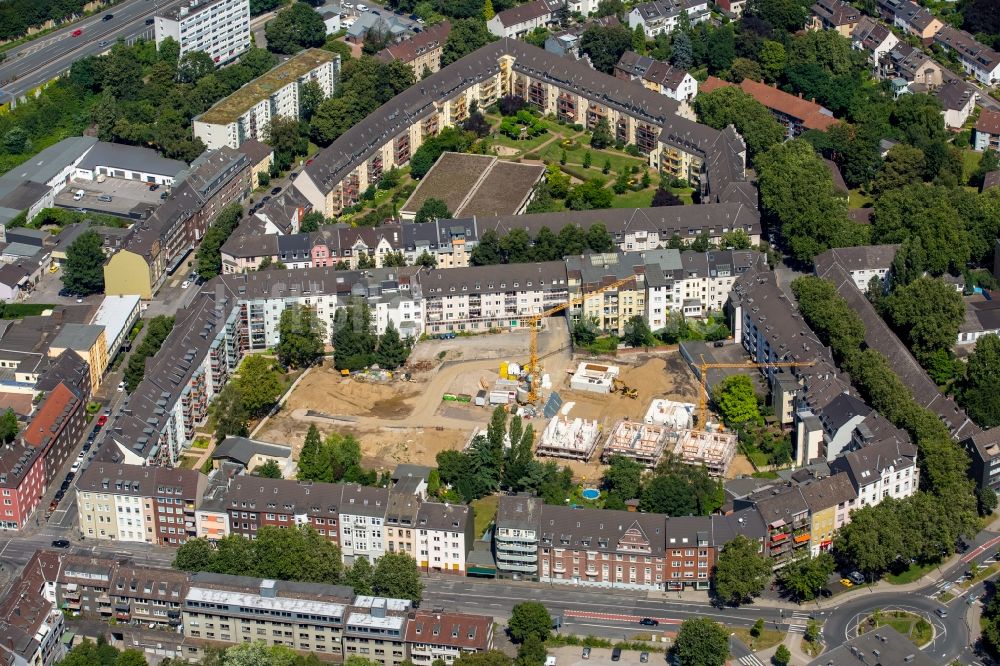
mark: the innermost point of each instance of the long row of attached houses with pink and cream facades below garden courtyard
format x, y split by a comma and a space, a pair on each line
450, 242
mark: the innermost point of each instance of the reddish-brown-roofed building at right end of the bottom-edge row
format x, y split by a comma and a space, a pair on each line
446, 636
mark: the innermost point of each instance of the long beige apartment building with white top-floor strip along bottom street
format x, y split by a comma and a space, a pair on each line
217, 612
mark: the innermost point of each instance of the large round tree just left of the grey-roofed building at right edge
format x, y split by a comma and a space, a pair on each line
927, 313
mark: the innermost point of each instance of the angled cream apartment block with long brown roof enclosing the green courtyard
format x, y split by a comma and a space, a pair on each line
563, 87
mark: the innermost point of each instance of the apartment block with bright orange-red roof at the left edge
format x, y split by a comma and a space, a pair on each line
55, 428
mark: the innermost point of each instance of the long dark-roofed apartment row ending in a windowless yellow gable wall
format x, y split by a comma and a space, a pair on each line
155, 246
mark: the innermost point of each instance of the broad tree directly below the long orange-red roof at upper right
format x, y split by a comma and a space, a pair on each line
729, 105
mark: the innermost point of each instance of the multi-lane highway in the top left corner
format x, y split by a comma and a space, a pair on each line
39, 61
